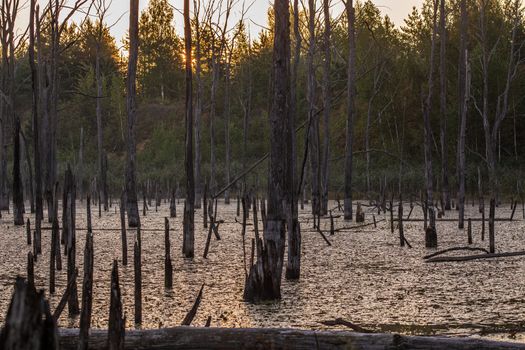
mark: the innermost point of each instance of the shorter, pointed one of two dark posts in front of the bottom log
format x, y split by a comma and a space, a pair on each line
116, 326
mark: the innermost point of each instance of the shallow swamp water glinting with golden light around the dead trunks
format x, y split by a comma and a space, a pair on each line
363, 277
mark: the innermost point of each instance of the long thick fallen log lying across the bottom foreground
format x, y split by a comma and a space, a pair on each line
263, 338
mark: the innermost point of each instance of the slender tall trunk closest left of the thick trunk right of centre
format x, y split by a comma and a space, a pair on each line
327, 96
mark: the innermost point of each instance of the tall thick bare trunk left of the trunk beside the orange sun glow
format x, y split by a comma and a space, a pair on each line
131, 191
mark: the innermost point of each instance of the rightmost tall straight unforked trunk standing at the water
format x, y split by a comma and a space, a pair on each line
464, 97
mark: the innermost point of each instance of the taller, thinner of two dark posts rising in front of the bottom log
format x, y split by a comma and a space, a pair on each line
87, 288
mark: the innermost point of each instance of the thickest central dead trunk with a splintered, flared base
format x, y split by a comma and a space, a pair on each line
264, 279
